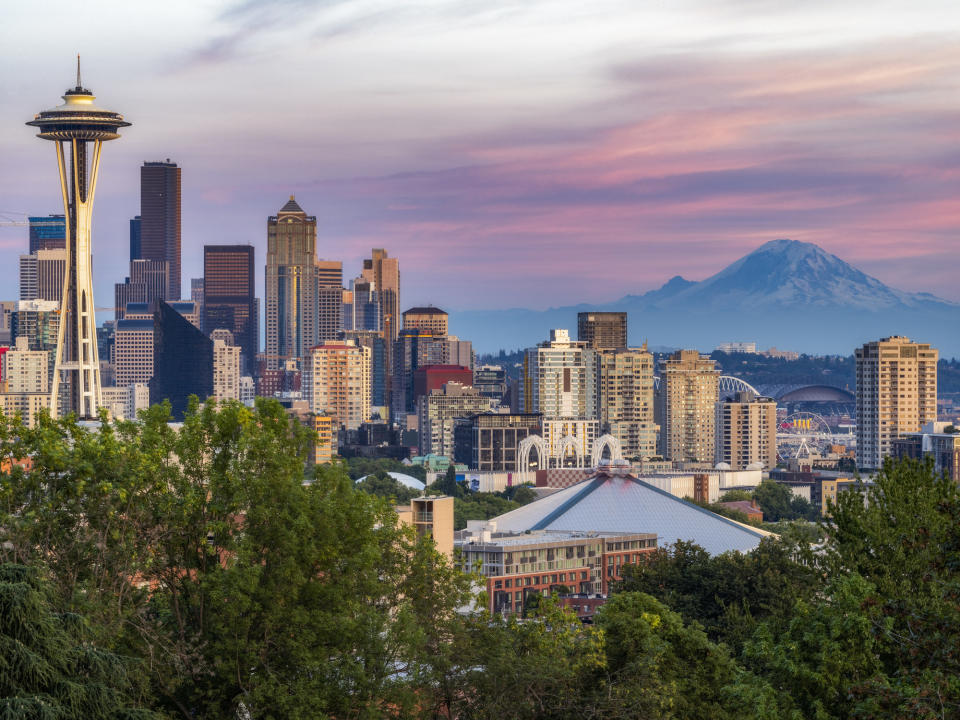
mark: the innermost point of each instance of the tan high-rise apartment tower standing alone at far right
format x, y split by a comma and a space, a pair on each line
896, 394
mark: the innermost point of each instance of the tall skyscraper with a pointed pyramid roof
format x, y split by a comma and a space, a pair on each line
291, 282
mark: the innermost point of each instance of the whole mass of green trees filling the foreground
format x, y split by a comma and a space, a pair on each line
200, 573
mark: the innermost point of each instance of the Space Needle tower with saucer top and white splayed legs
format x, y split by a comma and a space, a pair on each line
74, 126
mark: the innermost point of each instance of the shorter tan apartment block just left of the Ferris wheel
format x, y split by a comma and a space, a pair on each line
746, 432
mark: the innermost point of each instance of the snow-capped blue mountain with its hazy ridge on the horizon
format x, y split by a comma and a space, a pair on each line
787, 293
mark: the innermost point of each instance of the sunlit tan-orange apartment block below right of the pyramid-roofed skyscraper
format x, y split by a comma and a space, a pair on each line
336, 382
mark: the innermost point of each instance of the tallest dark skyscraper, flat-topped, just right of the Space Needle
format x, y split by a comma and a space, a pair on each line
160, 219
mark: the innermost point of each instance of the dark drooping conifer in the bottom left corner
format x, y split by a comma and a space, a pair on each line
48, 666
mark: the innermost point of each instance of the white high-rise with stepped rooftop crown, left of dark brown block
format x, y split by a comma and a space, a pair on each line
558, 378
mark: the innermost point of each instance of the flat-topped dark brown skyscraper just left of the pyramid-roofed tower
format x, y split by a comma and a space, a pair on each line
229, 300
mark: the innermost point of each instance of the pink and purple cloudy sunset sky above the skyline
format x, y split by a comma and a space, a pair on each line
510, 153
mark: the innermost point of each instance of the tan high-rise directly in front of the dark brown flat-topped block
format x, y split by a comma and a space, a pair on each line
625, 408
